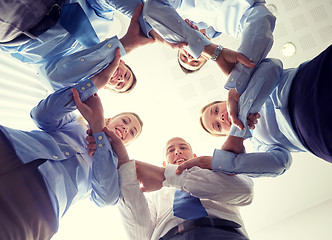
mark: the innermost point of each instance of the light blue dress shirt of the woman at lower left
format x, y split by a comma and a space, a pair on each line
69, 172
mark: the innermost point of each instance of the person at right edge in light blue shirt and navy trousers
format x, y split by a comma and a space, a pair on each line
294, 106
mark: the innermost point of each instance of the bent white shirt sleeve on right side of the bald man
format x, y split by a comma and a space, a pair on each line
204, 183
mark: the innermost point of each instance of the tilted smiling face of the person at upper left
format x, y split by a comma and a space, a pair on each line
122, 79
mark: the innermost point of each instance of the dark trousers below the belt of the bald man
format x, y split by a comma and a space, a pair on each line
208, 233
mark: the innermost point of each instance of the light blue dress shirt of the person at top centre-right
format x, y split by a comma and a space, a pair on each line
249, 20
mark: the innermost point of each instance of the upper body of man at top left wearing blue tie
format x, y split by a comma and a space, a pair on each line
62, 57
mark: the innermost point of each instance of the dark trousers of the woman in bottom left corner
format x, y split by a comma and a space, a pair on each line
26, 211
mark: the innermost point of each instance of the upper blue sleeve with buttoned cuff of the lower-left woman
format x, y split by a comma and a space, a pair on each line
51, 112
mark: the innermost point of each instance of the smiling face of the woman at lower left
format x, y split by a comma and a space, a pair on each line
126, 126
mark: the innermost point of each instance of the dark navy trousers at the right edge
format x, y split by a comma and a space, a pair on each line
310, 105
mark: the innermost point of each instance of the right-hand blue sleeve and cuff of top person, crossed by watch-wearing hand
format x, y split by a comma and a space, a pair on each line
256, 42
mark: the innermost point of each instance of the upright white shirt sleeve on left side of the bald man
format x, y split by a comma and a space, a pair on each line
135, 211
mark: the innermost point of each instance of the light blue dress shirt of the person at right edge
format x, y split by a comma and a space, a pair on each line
273, 136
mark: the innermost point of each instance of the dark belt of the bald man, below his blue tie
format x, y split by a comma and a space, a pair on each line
201, 222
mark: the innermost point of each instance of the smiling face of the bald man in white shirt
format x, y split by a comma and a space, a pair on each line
178, 151
